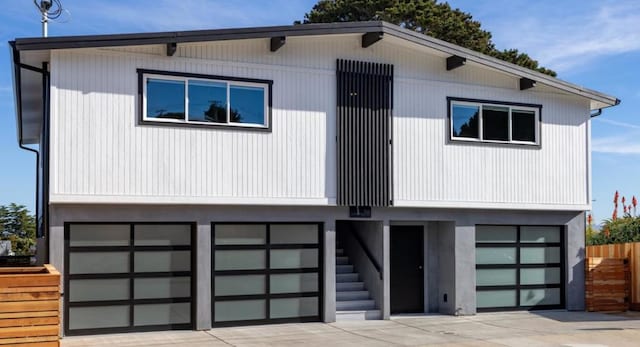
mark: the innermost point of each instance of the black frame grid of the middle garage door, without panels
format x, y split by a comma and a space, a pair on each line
268, 272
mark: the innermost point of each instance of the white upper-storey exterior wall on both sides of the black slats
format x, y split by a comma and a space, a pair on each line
99, 154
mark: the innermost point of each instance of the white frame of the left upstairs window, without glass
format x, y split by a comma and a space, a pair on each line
228, 82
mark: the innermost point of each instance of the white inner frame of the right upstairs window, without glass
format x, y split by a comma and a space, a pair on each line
510, 107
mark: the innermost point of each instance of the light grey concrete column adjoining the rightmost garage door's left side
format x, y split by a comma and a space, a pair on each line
465, 269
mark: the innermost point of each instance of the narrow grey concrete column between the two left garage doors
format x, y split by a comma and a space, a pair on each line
202, 247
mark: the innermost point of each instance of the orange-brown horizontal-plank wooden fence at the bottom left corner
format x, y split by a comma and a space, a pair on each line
30, 306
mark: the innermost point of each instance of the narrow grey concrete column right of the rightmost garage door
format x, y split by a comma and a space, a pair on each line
574, 272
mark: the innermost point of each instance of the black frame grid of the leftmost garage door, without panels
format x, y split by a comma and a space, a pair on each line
131, 275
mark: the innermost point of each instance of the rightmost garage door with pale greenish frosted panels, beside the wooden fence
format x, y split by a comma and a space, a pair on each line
519, 267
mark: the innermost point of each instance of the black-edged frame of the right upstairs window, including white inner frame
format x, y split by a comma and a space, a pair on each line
511, 105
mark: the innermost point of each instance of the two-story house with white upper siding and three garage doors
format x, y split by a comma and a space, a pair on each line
301, 173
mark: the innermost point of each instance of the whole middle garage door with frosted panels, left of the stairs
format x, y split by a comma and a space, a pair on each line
266, 273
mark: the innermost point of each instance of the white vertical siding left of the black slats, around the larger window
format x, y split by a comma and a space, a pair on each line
101, 151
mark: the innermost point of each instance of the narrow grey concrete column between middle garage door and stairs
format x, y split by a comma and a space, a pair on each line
329, 271
